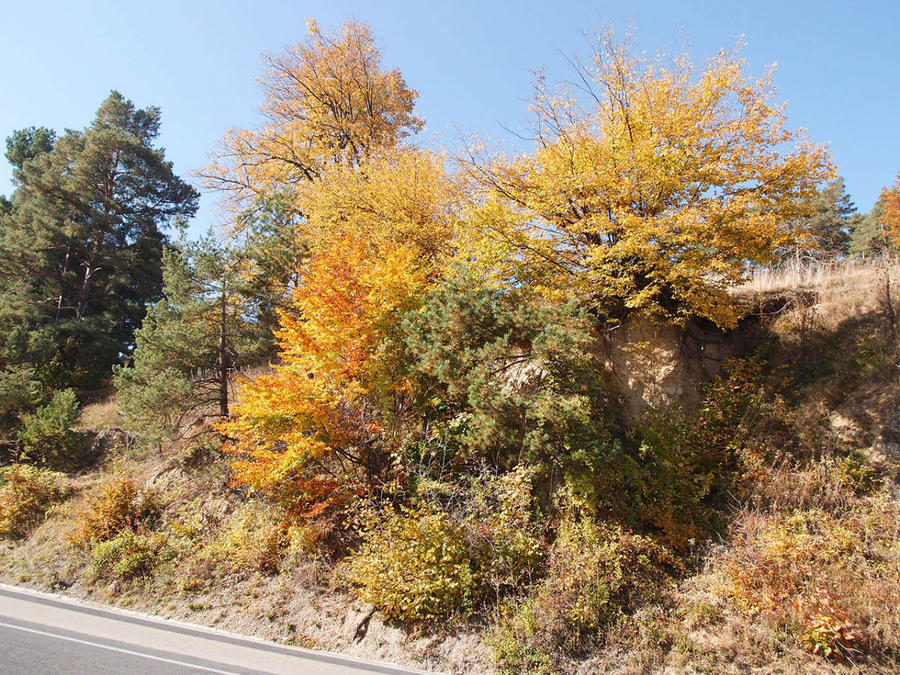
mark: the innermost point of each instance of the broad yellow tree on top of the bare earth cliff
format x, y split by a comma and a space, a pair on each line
654, 195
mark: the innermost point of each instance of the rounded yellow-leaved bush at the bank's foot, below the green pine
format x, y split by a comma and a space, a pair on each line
413, 565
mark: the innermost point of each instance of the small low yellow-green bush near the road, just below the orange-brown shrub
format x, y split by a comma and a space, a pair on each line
130, 554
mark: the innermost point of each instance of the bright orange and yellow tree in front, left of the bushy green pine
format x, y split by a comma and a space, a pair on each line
323, 425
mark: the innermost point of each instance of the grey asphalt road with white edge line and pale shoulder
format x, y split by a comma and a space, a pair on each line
46, 634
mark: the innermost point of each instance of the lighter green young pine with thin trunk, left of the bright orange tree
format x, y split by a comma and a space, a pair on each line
190, 341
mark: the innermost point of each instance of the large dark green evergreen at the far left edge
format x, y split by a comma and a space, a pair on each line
81, 243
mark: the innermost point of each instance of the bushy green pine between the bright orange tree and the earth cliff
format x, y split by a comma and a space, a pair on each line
501, 377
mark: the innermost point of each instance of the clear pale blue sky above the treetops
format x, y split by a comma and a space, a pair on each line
471, 61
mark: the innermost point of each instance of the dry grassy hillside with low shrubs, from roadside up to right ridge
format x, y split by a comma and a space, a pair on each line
765, 537
